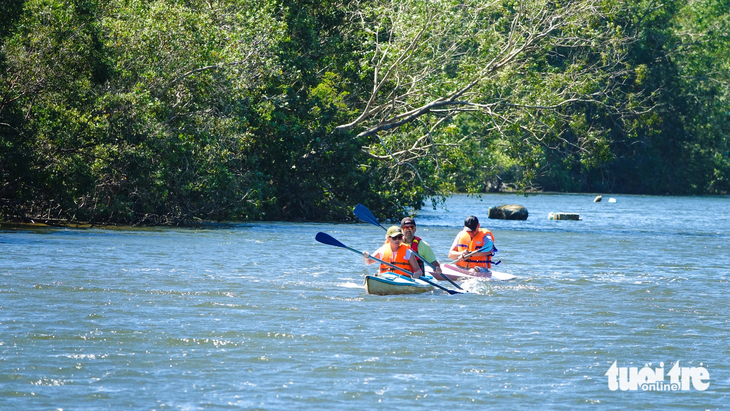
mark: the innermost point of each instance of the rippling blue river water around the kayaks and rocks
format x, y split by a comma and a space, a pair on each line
261, 316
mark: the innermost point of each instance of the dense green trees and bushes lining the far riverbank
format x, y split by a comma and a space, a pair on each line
170, 111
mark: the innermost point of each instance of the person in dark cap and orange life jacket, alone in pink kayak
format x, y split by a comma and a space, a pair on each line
472, 238
